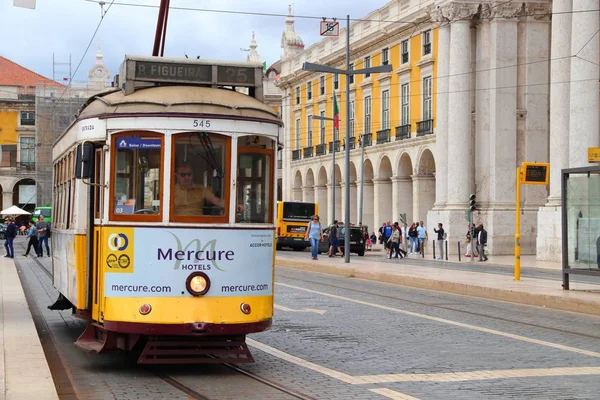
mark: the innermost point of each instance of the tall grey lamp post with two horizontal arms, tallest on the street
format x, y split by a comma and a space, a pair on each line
347, 72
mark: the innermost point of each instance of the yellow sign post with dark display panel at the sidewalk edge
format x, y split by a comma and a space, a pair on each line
527, 174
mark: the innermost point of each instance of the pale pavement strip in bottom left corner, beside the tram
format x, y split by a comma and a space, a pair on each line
24, 371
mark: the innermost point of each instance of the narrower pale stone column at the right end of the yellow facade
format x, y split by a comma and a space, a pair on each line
441, 124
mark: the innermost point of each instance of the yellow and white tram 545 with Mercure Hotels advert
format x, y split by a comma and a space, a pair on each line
164, 208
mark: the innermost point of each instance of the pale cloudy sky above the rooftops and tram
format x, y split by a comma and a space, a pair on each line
64, 28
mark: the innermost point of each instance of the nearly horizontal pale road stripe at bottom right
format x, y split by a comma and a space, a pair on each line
480, 375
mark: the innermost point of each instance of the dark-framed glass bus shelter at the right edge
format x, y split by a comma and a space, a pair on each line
580, 222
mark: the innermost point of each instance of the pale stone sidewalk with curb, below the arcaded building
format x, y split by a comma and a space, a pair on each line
540, 285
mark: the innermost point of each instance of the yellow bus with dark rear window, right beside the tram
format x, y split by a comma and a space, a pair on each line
292, 220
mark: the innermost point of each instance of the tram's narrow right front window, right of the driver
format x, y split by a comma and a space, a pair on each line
254, 202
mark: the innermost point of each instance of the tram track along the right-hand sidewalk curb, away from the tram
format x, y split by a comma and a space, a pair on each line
447, 308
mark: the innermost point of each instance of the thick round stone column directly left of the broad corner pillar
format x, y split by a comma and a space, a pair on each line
460, 152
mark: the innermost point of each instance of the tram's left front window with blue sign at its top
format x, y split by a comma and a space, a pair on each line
137, 175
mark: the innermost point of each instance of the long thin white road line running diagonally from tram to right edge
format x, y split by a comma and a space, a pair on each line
450, 322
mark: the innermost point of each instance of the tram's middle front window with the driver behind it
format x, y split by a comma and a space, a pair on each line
200, 185
